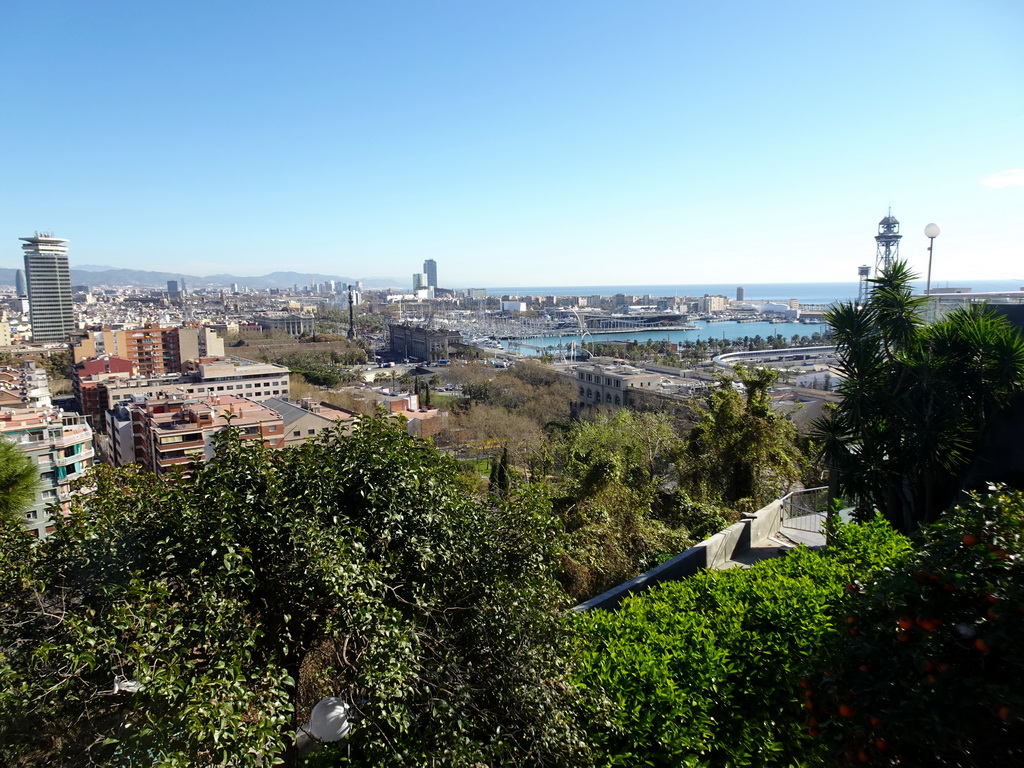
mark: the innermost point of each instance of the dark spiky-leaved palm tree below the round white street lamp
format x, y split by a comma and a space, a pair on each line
917, 399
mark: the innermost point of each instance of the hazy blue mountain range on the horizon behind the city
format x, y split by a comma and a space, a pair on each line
94, 276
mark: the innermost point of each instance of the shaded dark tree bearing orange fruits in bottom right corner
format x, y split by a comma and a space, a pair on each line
928, 670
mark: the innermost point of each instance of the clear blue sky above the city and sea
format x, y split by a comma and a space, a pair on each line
517, 142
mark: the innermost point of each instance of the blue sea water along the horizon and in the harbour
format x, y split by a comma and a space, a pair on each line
807, 293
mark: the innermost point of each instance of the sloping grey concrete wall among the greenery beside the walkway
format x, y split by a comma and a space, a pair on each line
711, 553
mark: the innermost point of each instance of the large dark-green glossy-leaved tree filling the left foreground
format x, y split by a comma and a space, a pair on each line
238, 598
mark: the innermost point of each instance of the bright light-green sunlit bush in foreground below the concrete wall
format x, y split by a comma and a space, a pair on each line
703, 672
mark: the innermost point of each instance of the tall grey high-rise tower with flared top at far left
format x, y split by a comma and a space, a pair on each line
51, 308
